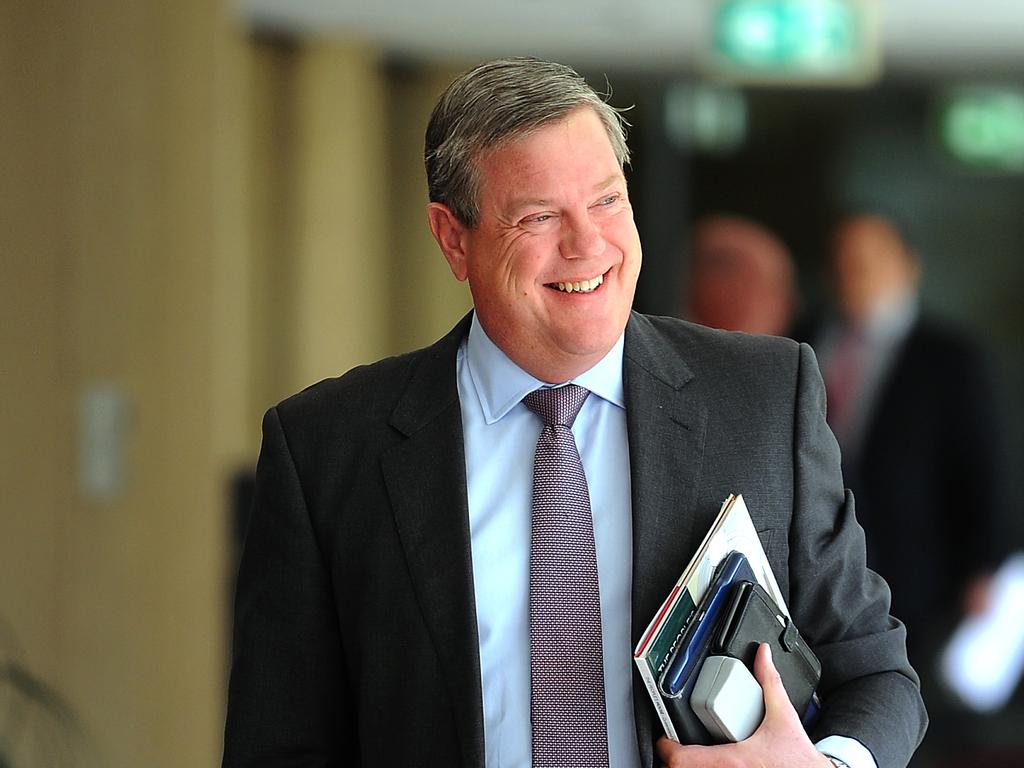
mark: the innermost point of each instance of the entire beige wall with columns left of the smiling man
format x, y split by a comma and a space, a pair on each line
204, 224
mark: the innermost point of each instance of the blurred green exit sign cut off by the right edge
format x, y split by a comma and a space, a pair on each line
984, 127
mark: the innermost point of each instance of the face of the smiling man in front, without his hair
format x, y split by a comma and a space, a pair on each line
554, 261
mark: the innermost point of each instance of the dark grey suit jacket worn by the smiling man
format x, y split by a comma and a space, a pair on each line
356, 639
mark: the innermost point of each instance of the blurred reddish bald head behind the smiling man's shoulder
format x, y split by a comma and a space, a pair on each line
742, 278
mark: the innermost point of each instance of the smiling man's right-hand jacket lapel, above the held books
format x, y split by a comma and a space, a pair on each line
666, 425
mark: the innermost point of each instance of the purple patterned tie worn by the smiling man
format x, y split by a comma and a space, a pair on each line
567, 656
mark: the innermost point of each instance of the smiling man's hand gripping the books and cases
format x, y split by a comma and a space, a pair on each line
779, 743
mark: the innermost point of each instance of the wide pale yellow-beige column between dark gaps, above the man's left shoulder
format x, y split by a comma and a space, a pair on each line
339, 263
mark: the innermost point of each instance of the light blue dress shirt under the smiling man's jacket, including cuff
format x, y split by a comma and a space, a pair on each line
500, 438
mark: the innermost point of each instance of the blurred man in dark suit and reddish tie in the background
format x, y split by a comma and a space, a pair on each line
911, 401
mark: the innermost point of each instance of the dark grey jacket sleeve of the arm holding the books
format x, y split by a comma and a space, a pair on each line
870, 692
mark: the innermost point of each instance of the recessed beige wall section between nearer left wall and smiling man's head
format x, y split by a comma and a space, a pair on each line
345, 267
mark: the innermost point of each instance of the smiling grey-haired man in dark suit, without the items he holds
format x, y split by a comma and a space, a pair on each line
452, 553
